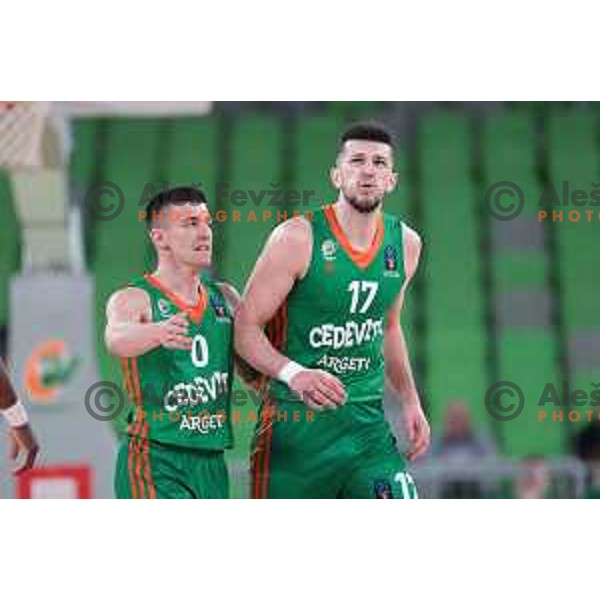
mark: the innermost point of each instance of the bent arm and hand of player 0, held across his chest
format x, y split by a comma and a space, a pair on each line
129, 328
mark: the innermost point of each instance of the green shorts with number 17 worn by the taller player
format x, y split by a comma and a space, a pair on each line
349, 452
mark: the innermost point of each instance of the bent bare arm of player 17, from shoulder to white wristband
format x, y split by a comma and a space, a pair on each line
284, 259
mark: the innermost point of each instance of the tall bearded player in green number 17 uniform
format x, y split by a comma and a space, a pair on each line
320, 318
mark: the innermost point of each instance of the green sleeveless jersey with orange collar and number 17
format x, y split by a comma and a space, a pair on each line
334, 318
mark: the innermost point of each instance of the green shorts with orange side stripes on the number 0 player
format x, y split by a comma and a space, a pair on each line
147, 469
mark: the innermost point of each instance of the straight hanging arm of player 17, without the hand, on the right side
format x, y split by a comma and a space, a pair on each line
397, 362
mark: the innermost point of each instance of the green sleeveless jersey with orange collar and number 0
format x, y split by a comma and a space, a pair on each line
183, 396
